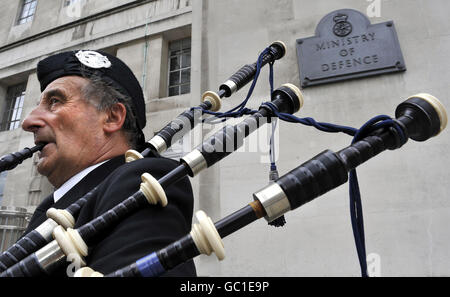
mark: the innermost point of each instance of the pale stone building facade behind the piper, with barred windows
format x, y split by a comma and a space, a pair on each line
404, 192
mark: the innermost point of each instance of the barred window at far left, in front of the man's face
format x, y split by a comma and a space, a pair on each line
13, 107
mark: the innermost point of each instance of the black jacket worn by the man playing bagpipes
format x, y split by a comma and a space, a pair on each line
147, 230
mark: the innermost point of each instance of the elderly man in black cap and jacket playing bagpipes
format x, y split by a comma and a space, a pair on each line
90, 113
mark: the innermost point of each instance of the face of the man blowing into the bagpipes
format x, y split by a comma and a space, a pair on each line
71, 128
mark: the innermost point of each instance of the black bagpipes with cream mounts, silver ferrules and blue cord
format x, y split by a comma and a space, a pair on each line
49, 246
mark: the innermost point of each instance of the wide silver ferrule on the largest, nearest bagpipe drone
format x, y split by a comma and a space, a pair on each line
274, 201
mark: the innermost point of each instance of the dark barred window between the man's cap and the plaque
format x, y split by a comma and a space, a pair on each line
180, 67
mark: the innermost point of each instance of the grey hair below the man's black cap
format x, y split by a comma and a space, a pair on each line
104, 95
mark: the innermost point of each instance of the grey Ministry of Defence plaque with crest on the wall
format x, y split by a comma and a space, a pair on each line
346, 45
